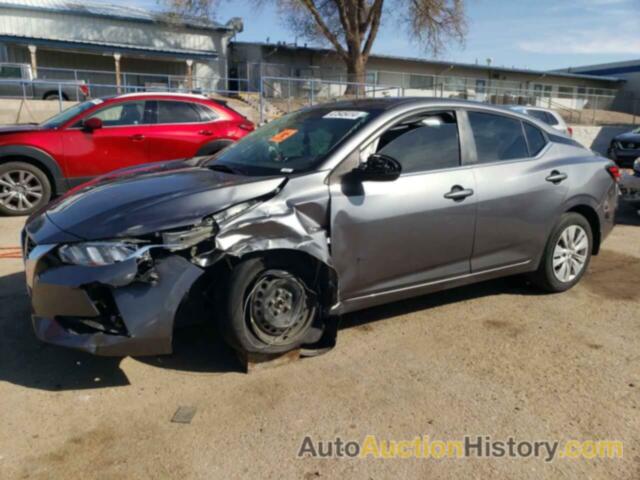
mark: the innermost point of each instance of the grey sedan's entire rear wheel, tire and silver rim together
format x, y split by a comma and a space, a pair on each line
567, 254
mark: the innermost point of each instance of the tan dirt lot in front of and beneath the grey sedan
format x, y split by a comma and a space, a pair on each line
493, 359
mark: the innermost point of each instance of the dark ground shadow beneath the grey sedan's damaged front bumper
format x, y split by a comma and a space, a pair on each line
26, 361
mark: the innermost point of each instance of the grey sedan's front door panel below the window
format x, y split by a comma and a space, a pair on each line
388, 235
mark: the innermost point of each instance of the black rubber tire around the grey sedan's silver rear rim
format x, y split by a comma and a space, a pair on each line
546, 277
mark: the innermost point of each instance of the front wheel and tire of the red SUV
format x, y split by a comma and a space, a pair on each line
38, 182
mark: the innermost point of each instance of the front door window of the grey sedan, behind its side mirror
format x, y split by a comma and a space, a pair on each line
423, 143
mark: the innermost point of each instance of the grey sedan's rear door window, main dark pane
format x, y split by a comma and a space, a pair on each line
498, 138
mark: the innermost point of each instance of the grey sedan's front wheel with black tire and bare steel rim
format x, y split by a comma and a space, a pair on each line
244, 331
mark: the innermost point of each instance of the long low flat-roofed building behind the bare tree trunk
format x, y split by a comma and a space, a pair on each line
416, 77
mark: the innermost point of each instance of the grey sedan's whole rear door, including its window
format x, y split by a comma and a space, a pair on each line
516, 203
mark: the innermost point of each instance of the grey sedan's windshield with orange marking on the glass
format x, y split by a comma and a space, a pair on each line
295, 143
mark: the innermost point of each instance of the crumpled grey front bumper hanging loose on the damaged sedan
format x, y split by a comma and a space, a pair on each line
107, 310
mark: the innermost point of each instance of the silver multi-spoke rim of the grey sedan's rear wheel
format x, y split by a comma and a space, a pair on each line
570, 253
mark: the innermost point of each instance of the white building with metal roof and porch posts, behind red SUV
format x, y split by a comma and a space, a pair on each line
55, 35
